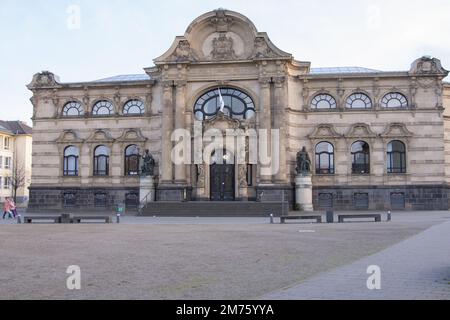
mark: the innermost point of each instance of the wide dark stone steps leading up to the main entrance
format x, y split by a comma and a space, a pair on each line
215, 209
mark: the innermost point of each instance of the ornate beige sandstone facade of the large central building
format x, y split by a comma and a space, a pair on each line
223, 49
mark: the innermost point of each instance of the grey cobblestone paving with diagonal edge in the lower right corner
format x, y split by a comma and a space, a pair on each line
417, 268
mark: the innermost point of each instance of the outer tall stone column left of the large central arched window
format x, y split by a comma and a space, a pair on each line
167, 129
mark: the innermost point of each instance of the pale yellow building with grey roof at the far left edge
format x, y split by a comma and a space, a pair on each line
15, 161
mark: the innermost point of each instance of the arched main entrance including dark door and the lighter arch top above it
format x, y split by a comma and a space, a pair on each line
222, 173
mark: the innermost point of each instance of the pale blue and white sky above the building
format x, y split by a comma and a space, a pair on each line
85, 40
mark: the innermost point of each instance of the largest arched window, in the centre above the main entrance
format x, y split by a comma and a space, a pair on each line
236, 104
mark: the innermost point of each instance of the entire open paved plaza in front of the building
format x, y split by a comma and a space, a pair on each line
228, 258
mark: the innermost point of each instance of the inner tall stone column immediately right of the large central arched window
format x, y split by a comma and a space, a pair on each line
265, 120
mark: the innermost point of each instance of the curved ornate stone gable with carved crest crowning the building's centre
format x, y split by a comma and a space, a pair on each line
221, 35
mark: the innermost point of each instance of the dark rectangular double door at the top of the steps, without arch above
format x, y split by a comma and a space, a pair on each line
222, 182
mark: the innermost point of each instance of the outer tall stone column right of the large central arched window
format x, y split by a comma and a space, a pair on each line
280, 98
